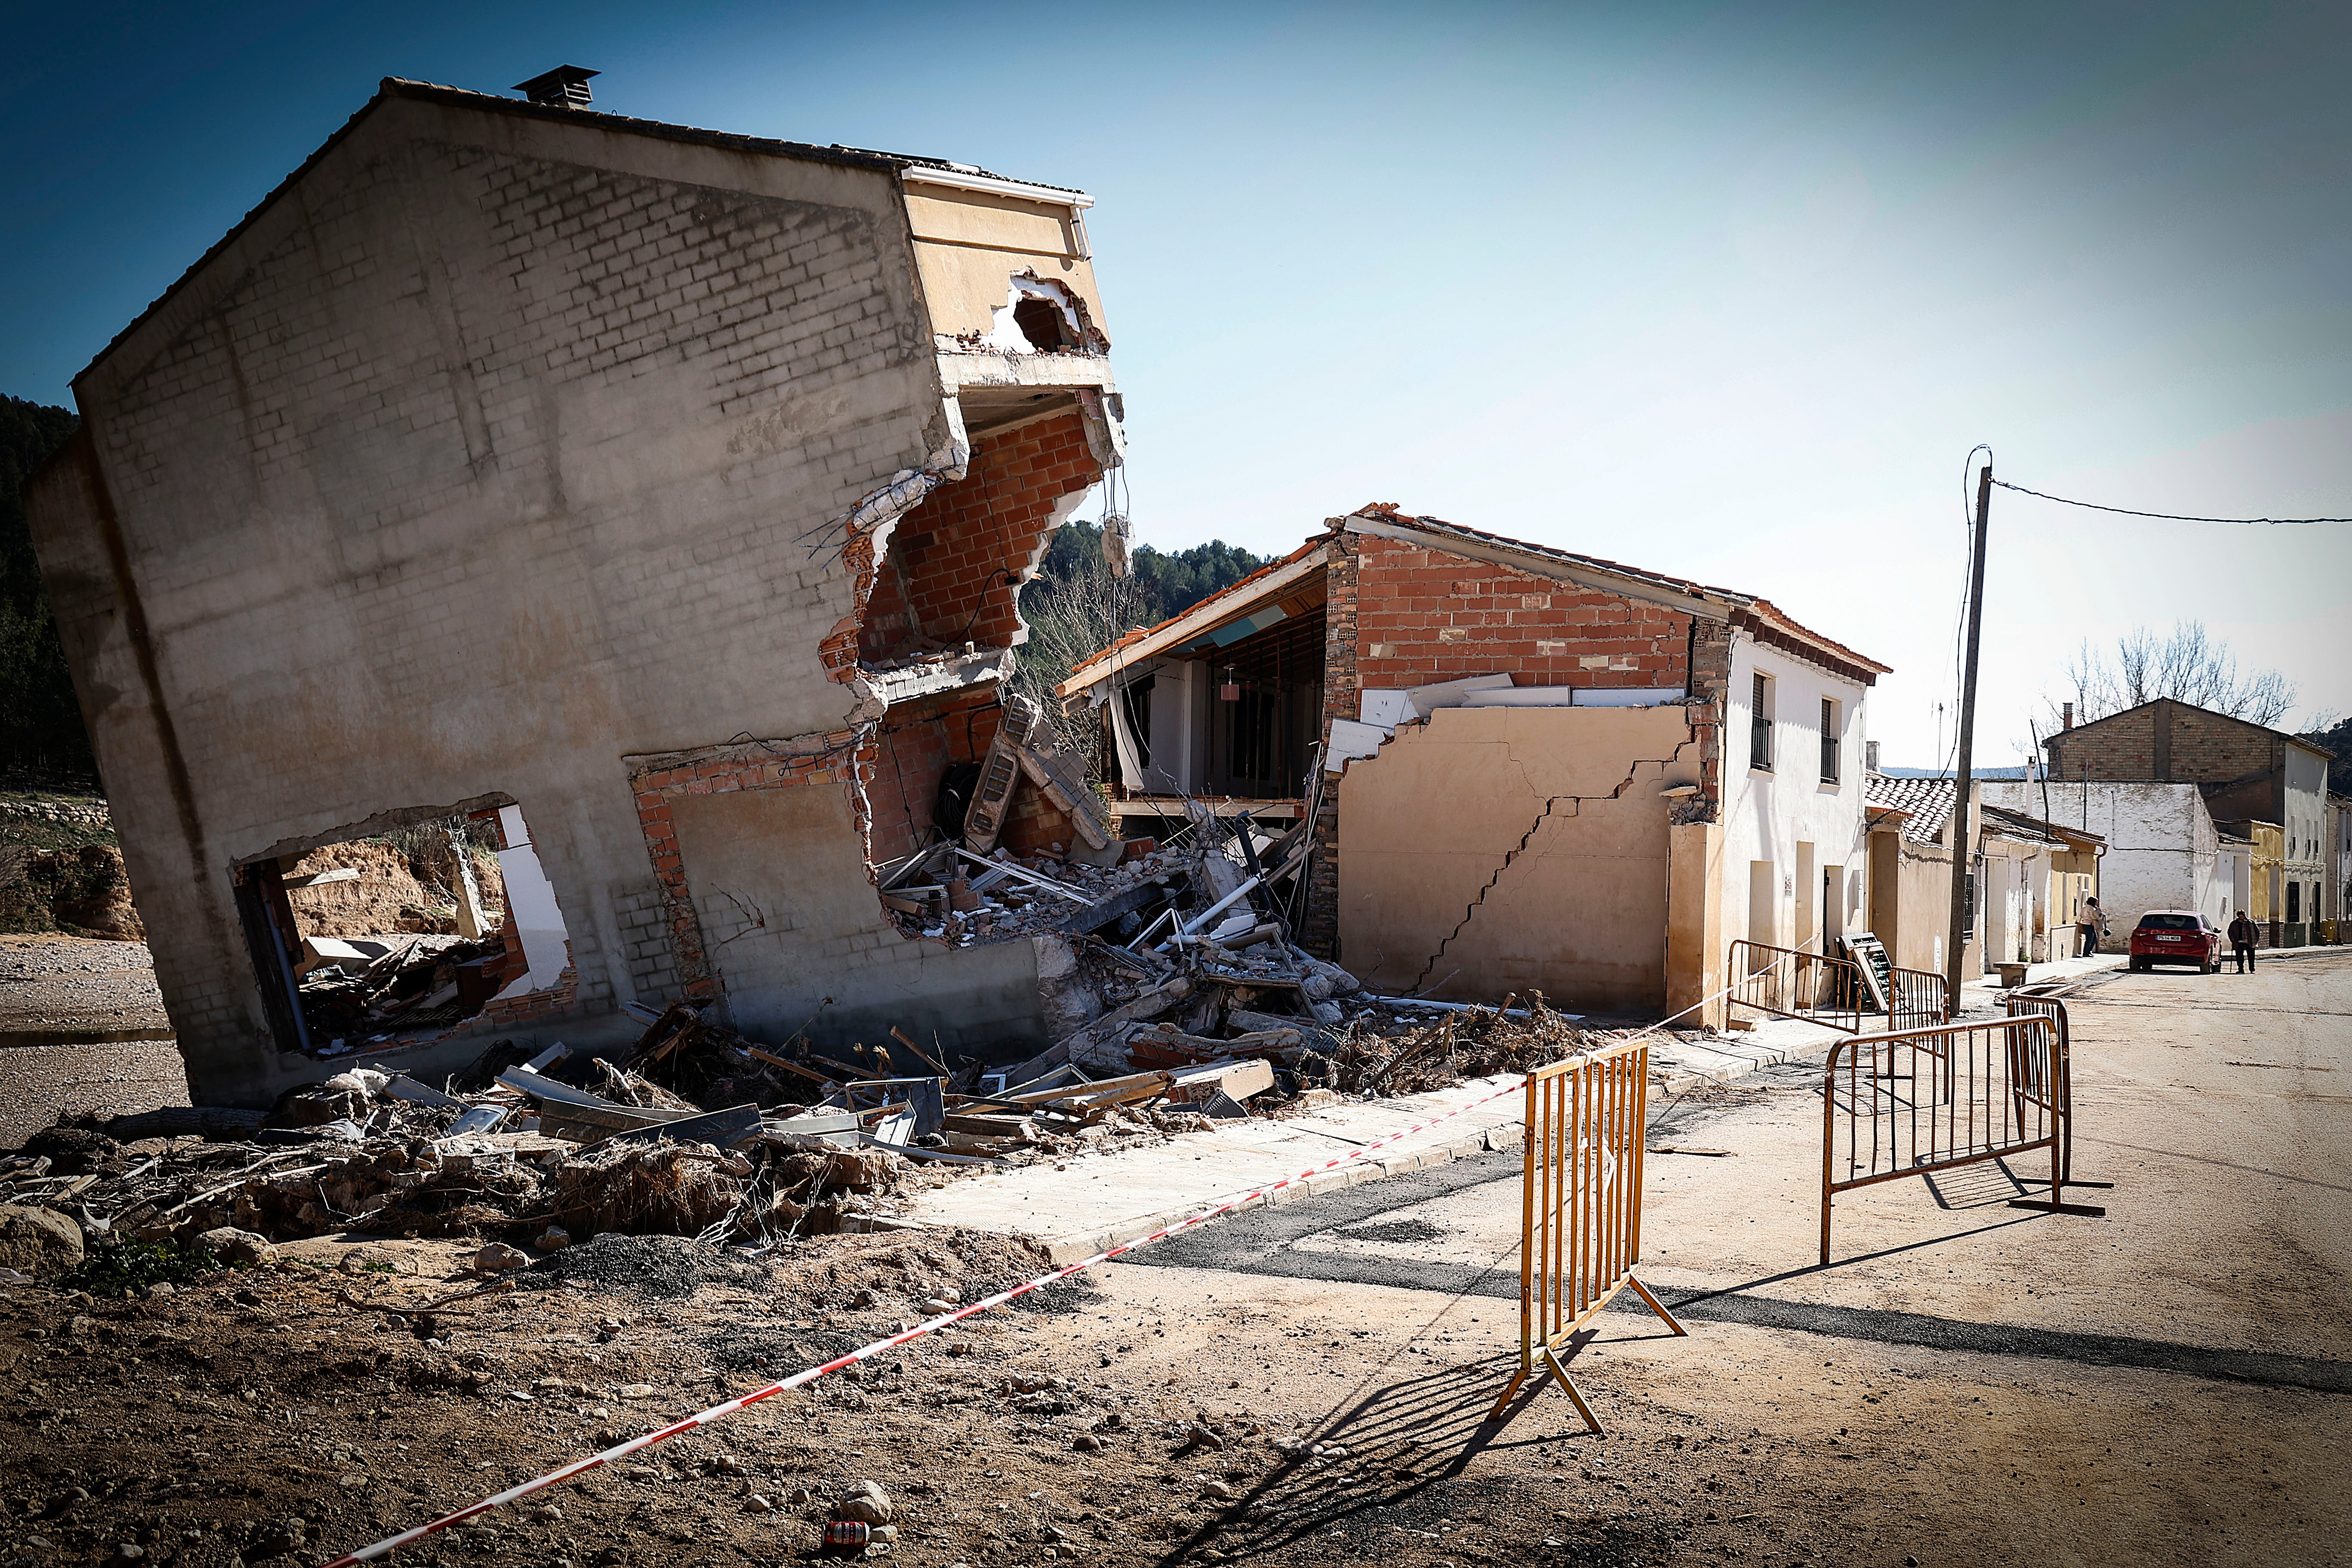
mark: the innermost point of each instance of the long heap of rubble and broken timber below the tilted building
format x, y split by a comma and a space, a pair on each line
707, 1134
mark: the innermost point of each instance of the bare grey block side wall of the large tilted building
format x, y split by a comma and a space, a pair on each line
474, 464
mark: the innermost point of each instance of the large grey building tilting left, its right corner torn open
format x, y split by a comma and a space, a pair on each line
636, 504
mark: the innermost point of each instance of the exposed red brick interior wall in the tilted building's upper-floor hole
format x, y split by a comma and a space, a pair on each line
961, 544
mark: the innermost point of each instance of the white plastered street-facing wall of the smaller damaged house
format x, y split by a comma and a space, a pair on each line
1768, 817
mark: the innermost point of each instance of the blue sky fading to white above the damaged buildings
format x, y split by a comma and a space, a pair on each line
1718, 290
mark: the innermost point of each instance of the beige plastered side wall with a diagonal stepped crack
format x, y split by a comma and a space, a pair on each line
1511, 850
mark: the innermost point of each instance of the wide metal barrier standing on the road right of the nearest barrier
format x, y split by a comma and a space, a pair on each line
1920, 1101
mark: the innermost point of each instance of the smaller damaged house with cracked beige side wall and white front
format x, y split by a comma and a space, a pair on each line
1525, 768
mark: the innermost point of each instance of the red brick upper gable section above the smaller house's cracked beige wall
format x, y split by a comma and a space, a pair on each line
1431, 617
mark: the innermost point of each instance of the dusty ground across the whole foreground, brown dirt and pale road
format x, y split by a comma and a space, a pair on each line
1967, 1383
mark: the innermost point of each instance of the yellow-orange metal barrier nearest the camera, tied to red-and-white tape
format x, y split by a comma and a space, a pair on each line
1579, 1207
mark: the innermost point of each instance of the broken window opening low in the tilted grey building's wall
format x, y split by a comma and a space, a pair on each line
394, 937
